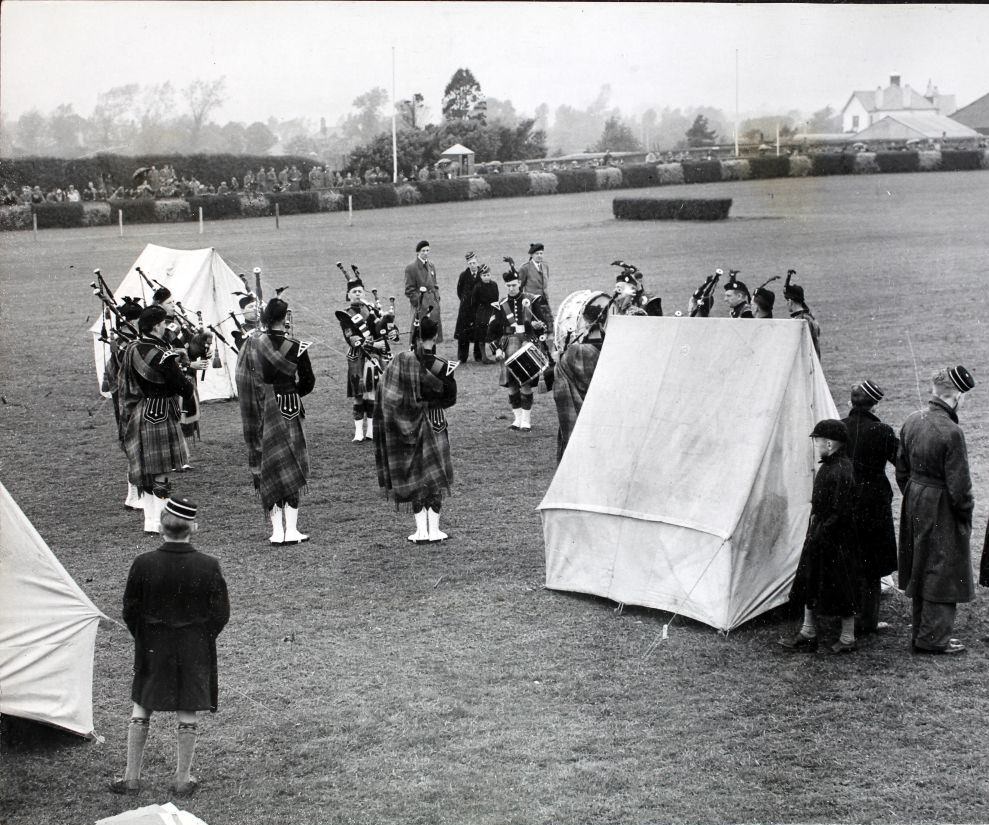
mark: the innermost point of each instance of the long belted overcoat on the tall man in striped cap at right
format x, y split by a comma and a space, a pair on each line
936, 517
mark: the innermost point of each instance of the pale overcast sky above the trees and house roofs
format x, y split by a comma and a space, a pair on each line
312, 59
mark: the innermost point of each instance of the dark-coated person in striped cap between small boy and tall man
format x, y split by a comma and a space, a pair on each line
871, 444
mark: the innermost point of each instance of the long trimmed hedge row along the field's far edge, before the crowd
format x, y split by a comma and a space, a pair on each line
381, 196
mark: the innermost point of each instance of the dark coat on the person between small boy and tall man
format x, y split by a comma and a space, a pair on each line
871, 444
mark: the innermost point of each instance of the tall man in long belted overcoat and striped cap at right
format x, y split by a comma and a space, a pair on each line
935, 564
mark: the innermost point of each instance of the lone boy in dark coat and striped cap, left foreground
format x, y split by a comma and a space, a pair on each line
175, 605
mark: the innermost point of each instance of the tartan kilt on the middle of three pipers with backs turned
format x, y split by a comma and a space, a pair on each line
284, 454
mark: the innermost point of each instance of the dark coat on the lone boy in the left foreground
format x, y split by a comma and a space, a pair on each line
175, 605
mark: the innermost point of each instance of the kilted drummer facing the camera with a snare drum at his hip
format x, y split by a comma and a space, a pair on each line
520, 319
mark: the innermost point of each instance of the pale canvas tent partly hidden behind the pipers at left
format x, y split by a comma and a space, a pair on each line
200, 280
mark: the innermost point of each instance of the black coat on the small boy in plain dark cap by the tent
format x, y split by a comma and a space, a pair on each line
827, 572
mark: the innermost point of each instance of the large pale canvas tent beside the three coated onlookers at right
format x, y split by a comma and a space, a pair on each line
686, 483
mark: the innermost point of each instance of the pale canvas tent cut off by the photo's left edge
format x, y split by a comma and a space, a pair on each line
47, 630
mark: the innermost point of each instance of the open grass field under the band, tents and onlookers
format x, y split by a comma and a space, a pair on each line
366, 681
